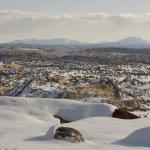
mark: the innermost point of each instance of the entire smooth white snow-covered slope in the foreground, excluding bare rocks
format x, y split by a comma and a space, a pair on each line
24, 123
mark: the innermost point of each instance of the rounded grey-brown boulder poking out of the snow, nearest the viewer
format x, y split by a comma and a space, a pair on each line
68, 134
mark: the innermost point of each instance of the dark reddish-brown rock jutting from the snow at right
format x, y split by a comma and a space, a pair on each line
122, 114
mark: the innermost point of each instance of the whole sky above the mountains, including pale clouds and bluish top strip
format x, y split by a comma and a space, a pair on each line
83, 20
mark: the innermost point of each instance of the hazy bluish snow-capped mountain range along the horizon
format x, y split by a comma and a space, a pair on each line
129, 42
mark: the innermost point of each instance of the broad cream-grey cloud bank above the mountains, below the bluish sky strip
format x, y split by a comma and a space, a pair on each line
90, 26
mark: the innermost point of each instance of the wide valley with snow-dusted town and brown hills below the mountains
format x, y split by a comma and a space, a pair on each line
119, 76
